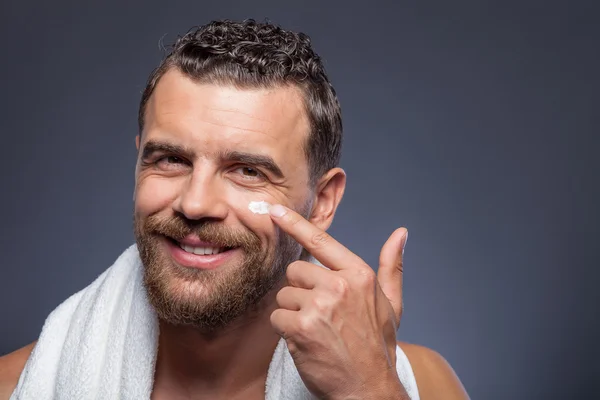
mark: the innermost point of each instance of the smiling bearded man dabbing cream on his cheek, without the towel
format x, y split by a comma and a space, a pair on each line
241, 113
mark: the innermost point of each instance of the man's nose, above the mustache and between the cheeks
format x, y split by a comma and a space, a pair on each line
201, 198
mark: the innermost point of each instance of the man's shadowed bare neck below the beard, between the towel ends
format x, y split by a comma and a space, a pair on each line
220, 364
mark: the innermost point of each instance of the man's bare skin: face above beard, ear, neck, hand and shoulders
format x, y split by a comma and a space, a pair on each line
308, 306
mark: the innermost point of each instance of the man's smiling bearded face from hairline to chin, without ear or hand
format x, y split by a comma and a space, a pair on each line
206, 152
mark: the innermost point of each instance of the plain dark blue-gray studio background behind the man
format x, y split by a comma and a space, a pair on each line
473, 124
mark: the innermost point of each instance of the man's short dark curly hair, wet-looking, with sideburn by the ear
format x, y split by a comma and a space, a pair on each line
250, 54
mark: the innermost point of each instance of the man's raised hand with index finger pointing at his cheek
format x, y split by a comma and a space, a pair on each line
340, 324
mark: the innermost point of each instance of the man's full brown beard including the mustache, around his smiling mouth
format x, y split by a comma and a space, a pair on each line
209, 300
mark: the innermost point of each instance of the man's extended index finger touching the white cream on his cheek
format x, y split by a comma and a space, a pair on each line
320, 244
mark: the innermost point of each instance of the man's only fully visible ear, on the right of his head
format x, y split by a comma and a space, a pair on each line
328, 195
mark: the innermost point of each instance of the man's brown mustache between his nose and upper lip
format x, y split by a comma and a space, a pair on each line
215, 232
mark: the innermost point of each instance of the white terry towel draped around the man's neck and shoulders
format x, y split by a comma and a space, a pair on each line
101, 343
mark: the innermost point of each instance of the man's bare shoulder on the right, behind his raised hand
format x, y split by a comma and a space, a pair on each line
435, 377
